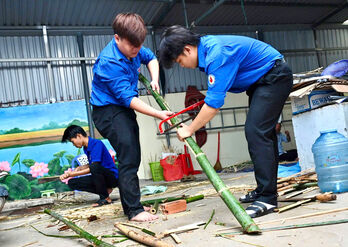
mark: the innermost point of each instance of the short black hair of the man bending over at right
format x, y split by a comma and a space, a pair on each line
172, 44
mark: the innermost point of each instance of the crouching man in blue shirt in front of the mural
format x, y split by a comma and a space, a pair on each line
104, 174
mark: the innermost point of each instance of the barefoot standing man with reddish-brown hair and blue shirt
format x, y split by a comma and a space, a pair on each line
115, 97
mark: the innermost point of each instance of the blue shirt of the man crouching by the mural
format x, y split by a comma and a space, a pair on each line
97, 152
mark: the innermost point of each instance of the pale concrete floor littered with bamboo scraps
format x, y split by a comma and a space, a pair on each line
330, 235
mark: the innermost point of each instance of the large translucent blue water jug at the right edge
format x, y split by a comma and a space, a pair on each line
330, 153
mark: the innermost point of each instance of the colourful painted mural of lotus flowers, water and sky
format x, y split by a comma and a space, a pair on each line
30, 146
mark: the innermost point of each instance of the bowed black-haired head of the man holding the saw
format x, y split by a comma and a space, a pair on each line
179, 45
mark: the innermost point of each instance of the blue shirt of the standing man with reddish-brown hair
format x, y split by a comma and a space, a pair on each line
115, 78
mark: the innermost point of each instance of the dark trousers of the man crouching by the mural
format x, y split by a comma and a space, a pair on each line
97, 183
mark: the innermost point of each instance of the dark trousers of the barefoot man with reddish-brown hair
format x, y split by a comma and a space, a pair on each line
118, 124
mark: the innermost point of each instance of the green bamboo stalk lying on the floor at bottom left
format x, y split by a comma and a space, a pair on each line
78, 230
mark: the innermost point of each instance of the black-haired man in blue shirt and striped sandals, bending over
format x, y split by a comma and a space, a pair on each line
237, 64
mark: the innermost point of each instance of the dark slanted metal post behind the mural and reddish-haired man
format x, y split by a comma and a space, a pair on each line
85, 84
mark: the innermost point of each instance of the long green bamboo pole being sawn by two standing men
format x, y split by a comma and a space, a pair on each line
232, 203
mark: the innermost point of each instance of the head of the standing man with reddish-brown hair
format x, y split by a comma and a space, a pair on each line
129, 32
